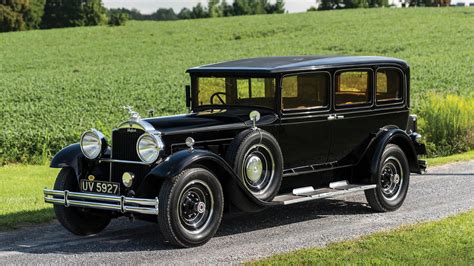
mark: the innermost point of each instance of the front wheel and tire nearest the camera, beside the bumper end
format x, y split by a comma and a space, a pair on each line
190, 208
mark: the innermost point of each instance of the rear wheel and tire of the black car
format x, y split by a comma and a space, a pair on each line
392, 181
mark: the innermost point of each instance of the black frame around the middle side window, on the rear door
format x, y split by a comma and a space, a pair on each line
370, 88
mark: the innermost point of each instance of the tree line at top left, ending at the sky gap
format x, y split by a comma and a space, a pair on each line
17, 15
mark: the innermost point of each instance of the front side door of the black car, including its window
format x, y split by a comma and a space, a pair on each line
303, 131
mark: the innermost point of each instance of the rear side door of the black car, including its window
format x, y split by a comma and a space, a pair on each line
351, 118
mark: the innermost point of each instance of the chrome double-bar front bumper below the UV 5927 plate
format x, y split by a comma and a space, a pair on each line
101, 201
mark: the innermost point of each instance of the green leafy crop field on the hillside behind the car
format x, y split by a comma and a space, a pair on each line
57, 83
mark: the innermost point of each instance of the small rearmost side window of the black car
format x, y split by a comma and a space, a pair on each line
389, 85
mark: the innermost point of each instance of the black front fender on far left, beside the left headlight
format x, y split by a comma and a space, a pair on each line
71, 156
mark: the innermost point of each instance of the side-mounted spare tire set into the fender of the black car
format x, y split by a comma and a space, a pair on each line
261, 147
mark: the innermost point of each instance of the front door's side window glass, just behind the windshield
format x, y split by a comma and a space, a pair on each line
305, 91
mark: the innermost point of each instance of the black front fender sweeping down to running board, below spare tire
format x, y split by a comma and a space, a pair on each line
179, 161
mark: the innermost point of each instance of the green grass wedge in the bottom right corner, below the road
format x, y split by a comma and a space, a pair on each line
446, 242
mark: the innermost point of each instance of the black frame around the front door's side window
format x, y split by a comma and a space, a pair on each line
314, 109
